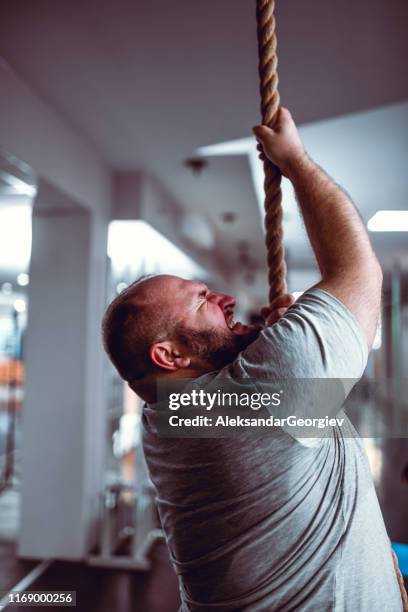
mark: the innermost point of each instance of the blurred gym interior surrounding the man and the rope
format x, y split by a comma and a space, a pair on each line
125, 149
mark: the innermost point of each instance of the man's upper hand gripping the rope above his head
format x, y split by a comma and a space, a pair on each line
282, 145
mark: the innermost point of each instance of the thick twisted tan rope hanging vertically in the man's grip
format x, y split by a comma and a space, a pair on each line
268, 75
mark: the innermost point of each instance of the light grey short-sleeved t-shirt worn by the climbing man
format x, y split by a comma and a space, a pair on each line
276, 522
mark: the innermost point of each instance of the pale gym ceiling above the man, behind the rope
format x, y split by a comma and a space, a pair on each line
150, 83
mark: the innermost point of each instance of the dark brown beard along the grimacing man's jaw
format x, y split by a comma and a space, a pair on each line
215, 348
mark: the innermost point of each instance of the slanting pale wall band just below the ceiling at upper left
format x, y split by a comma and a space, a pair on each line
32, 131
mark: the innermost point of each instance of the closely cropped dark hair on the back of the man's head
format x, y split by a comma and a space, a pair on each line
129, 328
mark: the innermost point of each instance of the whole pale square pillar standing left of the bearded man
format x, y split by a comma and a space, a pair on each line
64, 409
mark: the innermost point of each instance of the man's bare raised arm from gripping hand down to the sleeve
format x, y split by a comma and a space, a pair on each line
349, 268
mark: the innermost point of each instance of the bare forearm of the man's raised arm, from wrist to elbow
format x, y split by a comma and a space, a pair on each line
336, 232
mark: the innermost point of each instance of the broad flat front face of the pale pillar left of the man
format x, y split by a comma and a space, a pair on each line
53, 452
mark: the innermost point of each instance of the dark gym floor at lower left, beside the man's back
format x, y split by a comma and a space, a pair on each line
97, 589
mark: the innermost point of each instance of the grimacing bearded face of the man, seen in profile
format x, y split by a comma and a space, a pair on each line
205, 319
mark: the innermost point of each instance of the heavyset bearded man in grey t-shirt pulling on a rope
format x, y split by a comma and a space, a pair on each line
273, 522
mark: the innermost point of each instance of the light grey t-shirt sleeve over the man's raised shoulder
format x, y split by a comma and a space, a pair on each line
318, 337
